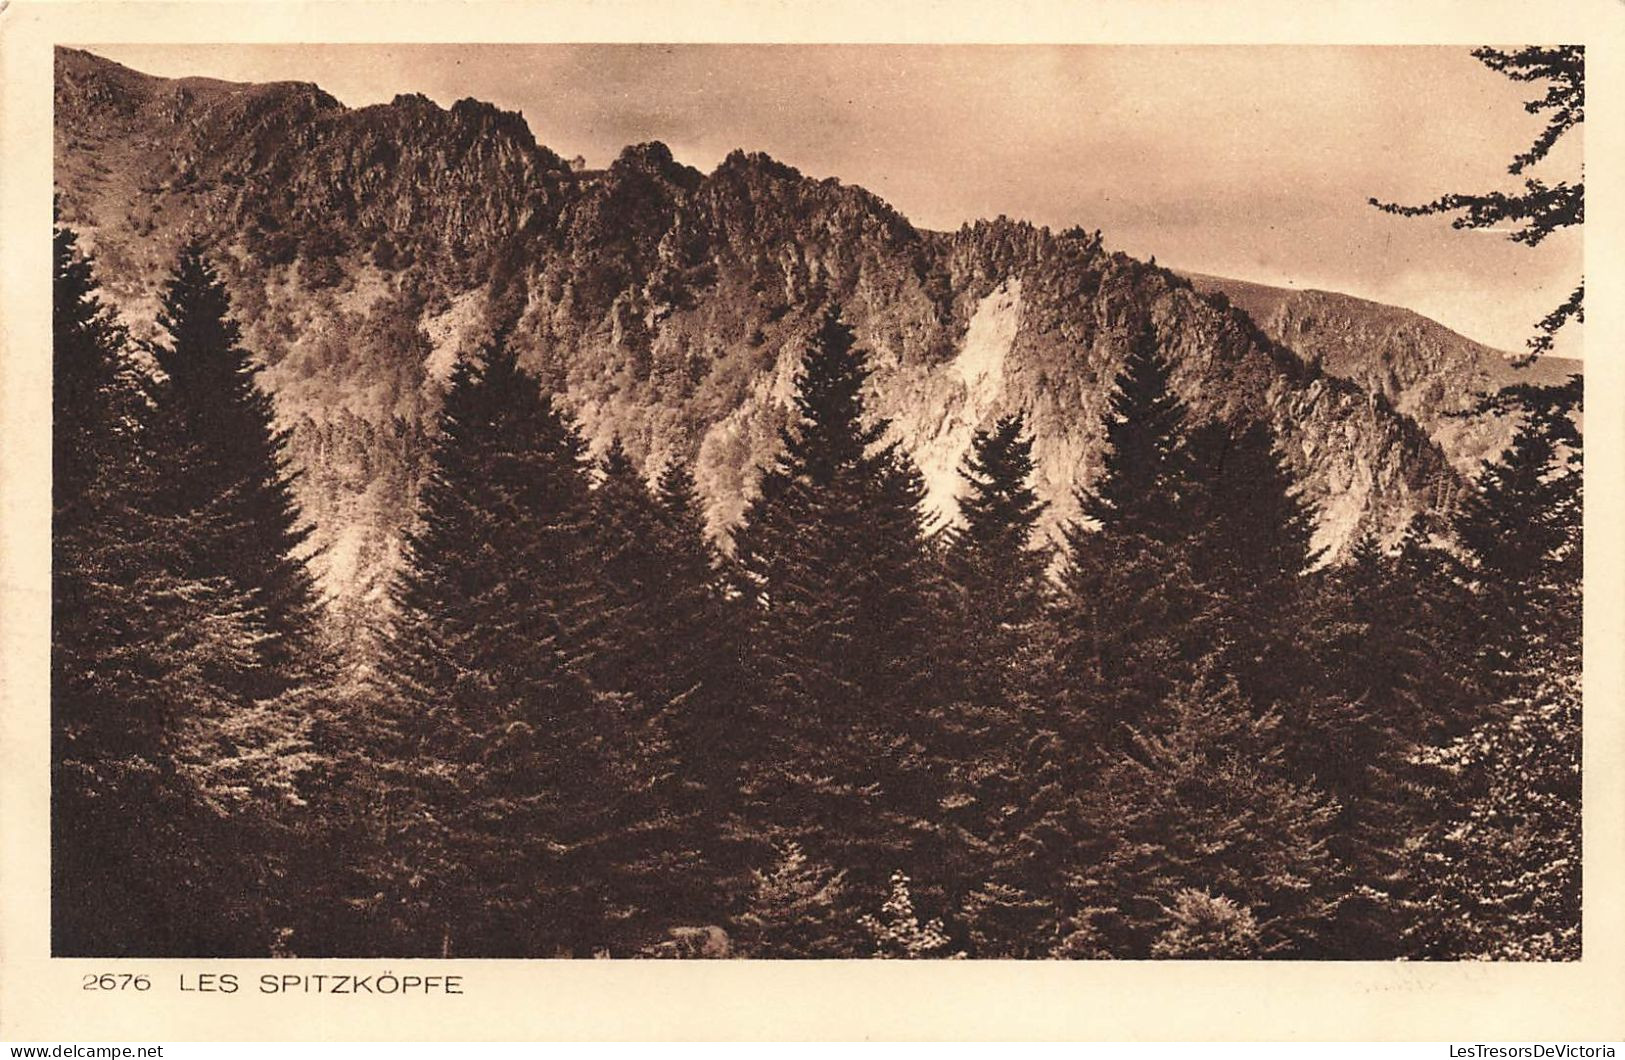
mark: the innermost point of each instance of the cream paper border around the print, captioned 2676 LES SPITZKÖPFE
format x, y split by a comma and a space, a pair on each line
508, 1001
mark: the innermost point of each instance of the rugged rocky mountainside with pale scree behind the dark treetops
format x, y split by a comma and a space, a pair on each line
370, 250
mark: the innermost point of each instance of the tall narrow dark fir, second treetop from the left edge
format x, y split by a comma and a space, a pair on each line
225, 472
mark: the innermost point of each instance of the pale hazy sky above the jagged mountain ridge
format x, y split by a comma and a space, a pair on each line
1242, 162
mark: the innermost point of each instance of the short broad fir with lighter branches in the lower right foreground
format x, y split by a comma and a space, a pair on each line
1205, 802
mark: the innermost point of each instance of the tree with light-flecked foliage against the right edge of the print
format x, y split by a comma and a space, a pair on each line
1501, 866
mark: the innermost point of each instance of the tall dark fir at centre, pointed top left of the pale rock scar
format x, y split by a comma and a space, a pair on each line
834, 558
